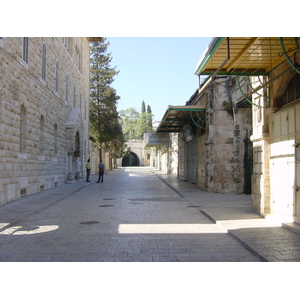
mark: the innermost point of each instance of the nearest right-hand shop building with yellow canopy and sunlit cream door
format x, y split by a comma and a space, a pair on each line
271, 65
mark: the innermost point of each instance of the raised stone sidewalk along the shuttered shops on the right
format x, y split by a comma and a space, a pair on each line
268, 238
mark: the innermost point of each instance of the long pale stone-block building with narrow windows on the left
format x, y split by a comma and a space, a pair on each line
44, 113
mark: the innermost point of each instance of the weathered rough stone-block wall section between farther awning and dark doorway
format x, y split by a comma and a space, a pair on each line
228, 128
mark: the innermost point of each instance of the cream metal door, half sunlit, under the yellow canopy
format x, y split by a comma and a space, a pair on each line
284, 164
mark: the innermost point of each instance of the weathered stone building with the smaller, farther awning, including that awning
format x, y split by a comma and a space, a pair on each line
213, 130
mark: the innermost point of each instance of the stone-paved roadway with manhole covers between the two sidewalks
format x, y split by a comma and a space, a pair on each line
132, 217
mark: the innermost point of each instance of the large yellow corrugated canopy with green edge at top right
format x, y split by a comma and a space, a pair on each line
247, 56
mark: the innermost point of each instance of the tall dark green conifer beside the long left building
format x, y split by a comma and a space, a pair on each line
104, 119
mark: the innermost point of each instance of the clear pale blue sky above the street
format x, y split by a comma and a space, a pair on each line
159, 70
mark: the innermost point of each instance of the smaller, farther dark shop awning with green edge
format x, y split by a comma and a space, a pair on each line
176, 117
